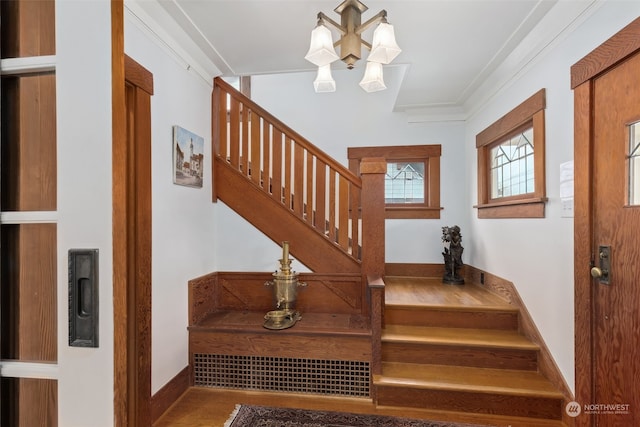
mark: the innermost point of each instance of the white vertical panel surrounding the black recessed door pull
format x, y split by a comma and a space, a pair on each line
83, 86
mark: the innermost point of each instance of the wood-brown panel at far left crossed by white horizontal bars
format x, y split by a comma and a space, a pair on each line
28, 216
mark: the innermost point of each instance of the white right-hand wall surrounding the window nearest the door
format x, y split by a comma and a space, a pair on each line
537, 254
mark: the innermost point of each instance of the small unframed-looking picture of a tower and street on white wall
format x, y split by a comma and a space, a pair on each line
188, 158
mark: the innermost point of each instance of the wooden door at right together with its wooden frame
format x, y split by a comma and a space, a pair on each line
608, 219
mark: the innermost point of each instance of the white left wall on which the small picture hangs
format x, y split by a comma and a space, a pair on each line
183, 217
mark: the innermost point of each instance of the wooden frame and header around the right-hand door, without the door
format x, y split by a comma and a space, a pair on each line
619, 47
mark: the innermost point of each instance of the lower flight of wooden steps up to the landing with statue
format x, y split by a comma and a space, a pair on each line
457, 348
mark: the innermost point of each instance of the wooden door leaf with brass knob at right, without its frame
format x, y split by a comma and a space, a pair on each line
616, 223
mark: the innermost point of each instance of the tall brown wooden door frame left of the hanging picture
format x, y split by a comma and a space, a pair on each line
132, 87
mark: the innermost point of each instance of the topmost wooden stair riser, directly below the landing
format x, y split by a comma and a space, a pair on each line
473, 319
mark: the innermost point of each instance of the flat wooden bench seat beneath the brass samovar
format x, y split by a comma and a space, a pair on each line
311, 323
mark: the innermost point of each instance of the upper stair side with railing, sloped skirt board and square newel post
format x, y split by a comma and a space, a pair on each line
304, 196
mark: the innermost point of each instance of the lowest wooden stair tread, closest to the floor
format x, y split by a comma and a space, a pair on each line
466, 379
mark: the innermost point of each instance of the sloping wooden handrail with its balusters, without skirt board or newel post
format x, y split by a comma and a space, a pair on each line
309, 183
